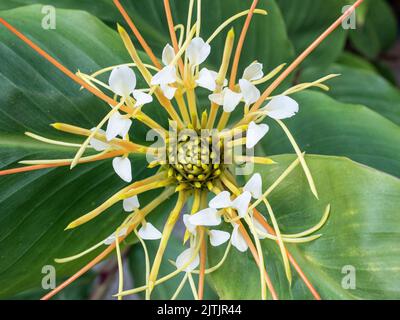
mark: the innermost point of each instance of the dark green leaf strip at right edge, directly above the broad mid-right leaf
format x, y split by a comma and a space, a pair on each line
359, 86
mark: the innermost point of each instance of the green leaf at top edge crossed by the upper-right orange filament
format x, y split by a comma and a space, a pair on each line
306, 20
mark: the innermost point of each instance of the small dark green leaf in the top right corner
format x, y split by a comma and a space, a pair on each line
378, 31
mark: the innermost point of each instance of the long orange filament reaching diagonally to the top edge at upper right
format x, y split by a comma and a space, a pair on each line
304, 55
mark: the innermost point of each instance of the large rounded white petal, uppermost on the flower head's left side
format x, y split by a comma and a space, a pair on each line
122, 81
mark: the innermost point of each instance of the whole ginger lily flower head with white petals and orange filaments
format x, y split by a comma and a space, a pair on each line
197, 159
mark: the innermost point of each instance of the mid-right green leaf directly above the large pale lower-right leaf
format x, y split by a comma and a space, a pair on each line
325, 126
